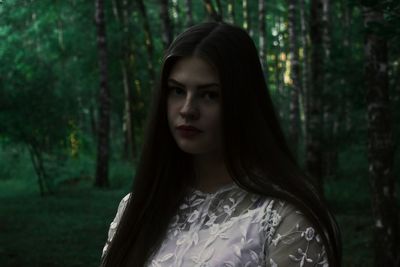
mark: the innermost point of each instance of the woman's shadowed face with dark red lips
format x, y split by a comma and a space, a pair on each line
194, 100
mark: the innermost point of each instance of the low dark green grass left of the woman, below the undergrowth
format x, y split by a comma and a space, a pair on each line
67, 229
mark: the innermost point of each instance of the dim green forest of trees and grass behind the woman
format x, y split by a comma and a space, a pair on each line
76, 81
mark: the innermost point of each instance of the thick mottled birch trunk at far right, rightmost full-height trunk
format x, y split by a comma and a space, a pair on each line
380, 140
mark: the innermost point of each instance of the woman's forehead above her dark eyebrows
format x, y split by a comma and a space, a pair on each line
193, 70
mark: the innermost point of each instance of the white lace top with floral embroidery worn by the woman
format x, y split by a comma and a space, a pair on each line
232, 227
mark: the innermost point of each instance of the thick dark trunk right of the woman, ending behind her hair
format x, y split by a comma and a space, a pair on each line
314, 122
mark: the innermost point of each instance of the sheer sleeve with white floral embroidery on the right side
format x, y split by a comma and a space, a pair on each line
295, 241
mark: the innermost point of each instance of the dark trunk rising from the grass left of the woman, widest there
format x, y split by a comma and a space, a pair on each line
104, 101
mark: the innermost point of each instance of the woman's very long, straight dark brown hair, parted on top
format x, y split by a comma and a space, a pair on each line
256, 153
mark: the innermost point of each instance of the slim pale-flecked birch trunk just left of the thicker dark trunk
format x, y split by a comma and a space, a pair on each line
294, 116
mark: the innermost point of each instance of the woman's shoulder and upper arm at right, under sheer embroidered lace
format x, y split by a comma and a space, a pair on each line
290, 236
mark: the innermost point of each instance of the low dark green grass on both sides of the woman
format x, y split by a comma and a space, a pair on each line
69, 229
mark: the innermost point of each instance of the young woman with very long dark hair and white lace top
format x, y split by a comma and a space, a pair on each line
216, 184
